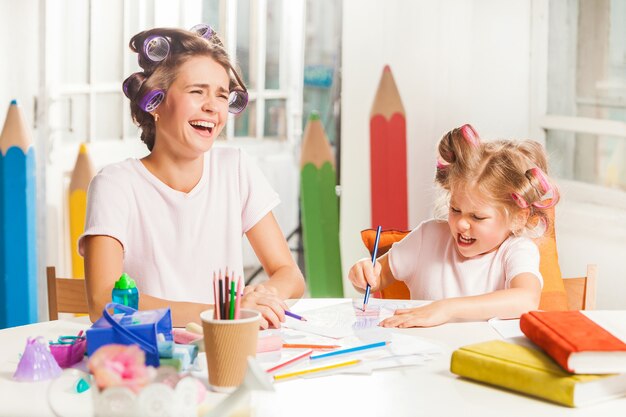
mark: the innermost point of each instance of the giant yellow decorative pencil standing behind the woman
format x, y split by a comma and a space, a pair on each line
81, 177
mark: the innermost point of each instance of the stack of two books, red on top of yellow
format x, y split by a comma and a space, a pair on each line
579, 358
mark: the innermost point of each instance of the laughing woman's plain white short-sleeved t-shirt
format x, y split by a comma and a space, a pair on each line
174, 241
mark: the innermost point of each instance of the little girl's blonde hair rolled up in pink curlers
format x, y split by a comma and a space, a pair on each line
510, 174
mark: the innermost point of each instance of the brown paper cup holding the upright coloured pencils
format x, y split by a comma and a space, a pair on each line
228, 343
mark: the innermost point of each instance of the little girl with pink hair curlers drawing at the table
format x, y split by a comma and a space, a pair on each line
479, 264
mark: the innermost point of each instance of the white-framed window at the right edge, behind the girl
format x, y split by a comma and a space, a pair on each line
586, 92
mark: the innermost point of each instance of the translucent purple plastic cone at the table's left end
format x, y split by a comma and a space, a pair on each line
36, 363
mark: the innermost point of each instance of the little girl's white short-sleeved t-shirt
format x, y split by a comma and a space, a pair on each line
430, 265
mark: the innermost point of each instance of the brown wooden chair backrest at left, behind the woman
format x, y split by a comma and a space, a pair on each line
65, 295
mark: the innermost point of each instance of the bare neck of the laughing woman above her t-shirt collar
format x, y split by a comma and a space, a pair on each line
180, 174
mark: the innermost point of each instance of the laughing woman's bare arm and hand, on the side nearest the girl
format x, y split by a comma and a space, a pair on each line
285, 279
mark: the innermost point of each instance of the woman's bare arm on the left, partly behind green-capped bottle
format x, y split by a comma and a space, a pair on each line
104, 264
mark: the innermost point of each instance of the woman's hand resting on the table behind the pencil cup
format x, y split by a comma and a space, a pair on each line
265, 300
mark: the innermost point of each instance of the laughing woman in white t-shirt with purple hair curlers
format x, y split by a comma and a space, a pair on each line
174, 218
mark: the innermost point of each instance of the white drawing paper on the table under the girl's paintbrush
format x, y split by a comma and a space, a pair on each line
343, 319
